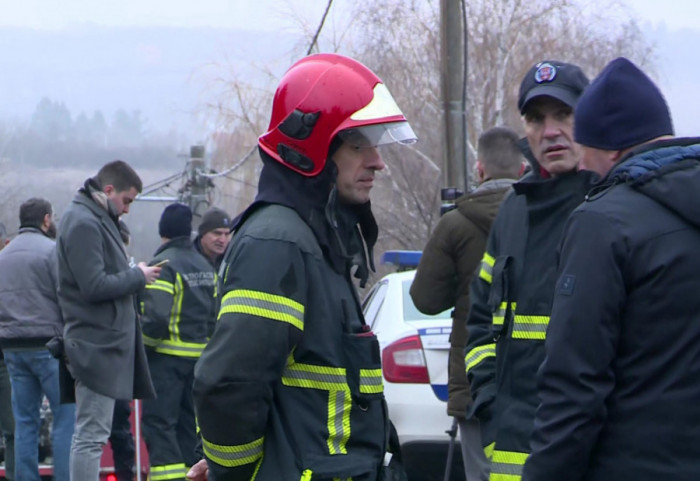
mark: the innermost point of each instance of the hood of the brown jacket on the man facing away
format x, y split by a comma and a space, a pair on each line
481, 205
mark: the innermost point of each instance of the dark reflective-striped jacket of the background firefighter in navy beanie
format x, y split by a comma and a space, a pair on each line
179, 308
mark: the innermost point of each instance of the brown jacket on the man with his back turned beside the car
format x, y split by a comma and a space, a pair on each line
446, 269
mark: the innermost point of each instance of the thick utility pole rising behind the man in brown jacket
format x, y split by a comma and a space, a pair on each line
452, 58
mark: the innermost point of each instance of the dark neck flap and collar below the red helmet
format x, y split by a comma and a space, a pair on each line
314, 200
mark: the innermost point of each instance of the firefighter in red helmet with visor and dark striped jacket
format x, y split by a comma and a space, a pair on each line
290, 385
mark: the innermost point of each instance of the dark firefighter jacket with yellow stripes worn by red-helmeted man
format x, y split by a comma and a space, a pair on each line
290, 387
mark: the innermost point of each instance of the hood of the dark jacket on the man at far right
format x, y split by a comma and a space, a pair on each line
666, 171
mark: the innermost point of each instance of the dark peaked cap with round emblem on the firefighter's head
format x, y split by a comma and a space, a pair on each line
561, 80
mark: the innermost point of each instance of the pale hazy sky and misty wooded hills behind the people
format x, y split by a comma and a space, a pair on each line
145, 79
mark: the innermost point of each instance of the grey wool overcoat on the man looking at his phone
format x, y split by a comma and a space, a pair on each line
96, 289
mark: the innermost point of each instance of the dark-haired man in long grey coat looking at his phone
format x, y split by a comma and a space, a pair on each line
103, 345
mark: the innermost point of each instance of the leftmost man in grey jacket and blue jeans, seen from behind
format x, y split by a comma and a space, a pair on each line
29, 317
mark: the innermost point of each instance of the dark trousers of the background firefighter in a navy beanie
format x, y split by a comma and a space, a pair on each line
168, 421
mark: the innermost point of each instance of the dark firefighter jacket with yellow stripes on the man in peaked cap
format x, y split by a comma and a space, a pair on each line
511, 302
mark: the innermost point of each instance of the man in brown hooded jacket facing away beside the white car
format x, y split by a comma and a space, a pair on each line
447, 266
